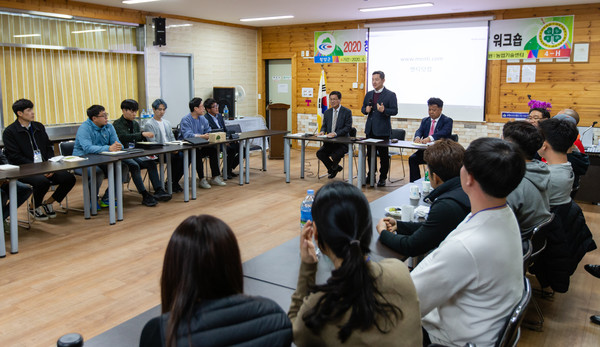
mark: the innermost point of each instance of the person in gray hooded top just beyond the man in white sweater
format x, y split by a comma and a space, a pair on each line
529, 201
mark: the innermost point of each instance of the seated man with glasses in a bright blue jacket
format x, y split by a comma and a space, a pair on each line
96, 135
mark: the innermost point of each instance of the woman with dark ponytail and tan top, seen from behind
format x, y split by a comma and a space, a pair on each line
363, 302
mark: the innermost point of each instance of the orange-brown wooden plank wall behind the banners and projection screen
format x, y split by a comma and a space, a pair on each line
563, 84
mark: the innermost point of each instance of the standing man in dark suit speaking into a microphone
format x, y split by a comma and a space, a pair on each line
379, 104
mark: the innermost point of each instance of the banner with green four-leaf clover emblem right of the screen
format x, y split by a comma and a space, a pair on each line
531, 38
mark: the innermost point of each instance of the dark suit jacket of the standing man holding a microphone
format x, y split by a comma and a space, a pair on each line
379, 124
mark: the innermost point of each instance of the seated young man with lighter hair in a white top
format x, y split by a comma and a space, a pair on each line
163, 132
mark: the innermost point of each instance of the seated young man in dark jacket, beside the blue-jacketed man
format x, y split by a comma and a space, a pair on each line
128, 131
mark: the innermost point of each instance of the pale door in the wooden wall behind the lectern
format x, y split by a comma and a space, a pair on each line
280, 84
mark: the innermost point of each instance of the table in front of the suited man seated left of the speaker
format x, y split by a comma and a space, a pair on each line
344, 140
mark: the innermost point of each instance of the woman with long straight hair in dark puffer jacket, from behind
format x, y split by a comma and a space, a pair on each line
201, 294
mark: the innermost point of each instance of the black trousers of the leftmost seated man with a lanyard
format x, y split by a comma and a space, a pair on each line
41, 184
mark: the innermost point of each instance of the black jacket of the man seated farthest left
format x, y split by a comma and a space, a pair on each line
19, 144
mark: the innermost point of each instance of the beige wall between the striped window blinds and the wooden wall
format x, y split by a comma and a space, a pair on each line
223, 57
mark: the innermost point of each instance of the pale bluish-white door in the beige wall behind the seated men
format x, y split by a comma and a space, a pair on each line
176, 84
